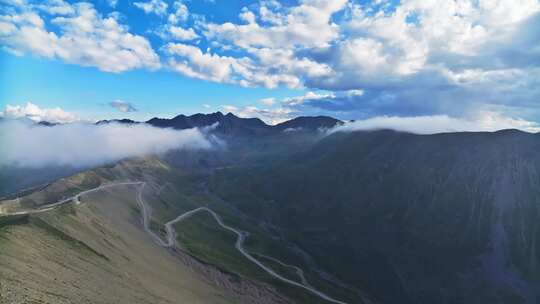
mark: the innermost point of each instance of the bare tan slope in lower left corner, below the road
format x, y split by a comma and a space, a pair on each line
94, 253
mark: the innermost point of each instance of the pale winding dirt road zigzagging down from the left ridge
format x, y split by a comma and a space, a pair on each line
170, 241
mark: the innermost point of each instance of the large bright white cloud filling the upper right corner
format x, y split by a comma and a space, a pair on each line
381, 46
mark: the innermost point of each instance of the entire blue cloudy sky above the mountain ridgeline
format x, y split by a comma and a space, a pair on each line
466, 62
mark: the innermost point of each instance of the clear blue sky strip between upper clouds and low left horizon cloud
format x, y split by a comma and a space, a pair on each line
87, 91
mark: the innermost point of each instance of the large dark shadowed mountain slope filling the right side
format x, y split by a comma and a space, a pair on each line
447, 218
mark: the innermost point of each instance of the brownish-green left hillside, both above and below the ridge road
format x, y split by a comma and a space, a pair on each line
98, 252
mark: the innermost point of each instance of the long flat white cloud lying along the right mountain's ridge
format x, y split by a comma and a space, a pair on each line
484, 121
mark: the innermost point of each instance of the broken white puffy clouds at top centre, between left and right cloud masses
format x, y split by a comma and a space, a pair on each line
270, 59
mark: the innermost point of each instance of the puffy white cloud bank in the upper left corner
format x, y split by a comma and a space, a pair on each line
85, 38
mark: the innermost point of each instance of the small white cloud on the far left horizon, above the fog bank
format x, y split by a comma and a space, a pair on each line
37, 114
